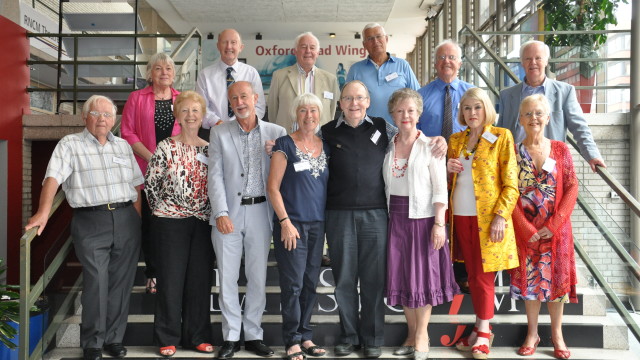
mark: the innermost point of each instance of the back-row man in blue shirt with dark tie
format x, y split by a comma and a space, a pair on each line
448, 60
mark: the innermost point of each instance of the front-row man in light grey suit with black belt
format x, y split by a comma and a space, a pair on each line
242, 217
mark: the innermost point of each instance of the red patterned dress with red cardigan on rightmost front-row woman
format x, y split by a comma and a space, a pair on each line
547, 197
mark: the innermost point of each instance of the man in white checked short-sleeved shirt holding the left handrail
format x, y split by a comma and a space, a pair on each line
101, 180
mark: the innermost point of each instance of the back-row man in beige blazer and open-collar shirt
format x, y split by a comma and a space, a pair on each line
298, 79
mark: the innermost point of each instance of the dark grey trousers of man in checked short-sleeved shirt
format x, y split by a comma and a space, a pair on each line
107, 244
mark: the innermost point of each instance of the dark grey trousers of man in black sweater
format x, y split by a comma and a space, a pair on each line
357, 242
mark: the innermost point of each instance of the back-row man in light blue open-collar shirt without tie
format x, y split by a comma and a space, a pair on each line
380, 72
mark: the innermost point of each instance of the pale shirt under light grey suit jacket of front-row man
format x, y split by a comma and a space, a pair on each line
252, 160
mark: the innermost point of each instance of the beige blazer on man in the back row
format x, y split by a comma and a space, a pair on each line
284, 88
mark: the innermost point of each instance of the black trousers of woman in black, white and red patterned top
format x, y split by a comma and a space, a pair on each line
184, 257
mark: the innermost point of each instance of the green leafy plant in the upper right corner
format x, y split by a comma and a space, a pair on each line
580, 15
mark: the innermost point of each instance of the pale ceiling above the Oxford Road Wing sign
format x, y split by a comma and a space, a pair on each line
285, 19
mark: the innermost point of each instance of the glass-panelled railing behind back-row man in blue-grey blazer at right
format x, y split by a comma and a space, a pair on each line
492, 61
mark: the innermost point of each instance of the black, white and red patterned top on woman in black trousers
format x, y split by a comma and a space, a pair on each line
176, 181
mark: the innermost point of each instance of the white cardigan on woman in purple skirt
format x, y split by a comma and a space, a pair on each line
427, 177
